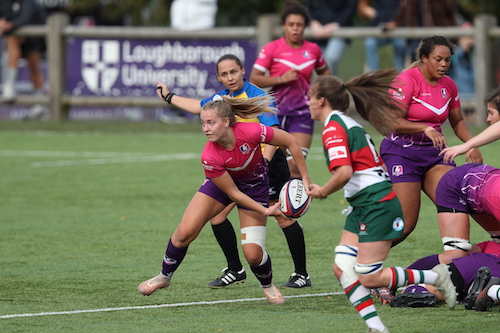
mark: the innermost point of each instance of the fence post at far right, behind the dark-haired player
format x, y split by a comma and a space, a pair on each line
483, 79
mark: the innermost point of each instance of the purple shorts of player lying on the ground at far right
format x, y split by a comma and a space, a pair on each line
468, 266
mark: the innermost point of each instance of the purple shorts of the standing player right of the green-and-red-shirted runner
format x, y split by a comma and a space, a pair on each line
407, 164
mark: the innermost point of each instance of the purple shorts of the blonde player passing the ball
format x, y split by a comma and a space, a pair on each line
259, 191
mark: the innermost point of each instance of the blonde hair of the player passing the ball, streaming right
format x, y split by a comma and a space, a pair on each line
226, 107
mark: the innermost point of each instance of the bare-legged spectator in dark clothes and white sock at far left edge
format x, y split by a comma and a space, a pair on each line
13, 15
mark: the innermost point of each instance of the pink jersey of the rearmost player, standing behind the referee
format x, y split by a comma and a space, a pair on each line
278, 58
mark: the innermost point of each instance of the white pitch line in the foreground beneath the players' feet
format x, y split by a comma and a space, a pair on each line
144, 307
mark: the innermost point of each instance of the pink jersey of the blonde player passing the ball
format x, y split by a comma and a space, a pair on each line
244, 162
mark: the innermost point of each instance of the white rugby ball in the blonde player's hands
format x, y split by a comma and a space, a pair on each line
294, 200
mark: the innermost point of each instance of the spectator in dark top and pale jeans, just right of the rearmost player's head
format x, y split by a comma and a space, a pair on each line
326, 17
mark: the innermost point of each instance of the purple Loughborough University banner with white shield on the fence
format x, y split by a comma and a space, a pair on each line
122, 67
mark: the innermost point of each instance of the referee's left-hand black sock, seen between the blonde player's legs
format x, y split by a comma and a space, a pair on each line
225, 235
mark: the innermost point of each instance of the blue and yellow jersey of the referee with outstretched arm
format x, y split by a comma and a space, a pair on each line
247, 91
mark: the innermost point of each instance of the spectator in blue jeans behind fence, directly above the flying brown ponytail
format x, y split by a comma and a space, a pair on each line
381, 13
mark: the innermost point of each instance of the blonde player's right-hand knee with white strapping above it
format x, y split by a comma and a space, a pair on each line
256, 237
